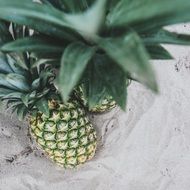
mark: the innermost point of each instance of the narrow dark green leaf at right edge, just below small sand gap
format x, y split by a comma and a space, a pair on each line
165, 37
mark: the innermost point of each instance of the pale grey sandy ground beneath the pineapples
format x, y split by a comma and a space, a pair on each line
146, 148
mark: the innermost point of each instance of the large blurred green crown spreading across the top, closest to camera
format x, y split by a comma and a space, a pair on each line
100, 43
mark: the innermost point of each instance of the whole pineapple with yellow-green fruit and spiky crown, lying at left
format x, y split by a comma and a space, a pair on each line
62, 130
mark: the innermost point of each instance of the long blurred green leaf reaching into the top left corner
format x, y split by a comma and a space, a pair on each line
34, 15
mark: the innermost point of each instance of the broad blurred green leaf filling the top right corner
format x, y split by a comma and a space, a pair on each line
135, 12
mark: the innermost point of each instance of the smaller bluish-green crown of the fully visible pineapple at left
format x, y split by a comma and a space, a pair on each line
25, 82
